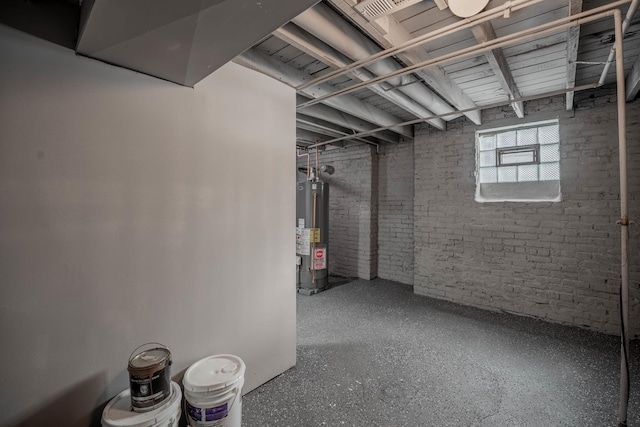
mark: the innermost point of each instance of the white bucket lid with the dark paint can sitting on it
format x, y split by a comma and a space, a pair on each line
118, 412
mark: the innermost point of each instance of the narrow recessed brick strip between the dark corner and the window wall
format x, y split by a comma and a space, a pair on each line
395, 213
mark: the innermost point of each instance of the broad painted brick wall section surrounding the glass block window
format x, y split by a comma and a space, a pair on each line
556, 261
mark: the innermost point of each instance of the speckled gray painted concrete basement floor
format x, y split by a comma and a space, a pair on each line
371, 353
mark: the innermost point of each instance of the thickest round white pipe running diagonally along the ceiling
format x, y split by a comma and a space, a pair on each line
331, 28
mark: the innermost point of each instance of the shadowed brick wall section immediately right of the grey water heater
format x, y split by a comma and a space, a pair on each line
353, 223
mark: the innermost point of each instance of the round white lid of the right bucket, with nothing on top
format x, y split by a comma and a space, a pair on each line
213, 373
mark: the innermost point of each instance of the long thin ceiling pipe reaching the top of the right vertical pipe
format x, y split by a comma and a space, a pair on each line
548, 28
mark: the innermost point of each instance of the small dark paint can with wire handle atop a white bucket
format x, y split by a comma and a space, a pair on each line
149, 376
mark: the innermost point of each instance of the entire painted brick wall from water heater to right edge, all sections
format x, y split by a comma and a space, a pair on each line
408, 214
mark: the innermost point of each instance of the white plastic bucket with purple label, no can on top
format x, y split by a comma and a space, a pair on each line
213, 391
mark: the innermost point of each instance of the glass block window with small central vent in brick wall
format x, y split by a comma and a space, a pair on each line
519, 154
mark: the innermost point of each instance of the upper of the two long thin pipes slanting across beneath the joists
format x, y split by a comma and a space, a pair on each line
497, 12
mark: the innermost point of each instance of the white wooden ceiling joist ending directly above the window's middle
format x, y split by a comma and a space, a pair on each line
498, 62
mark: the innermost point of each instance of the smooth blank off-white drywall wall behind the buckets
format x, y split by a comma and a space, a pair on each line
135, 210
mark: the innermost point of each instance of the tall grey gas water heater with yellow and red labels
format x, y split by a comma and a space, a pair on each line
312, 234
